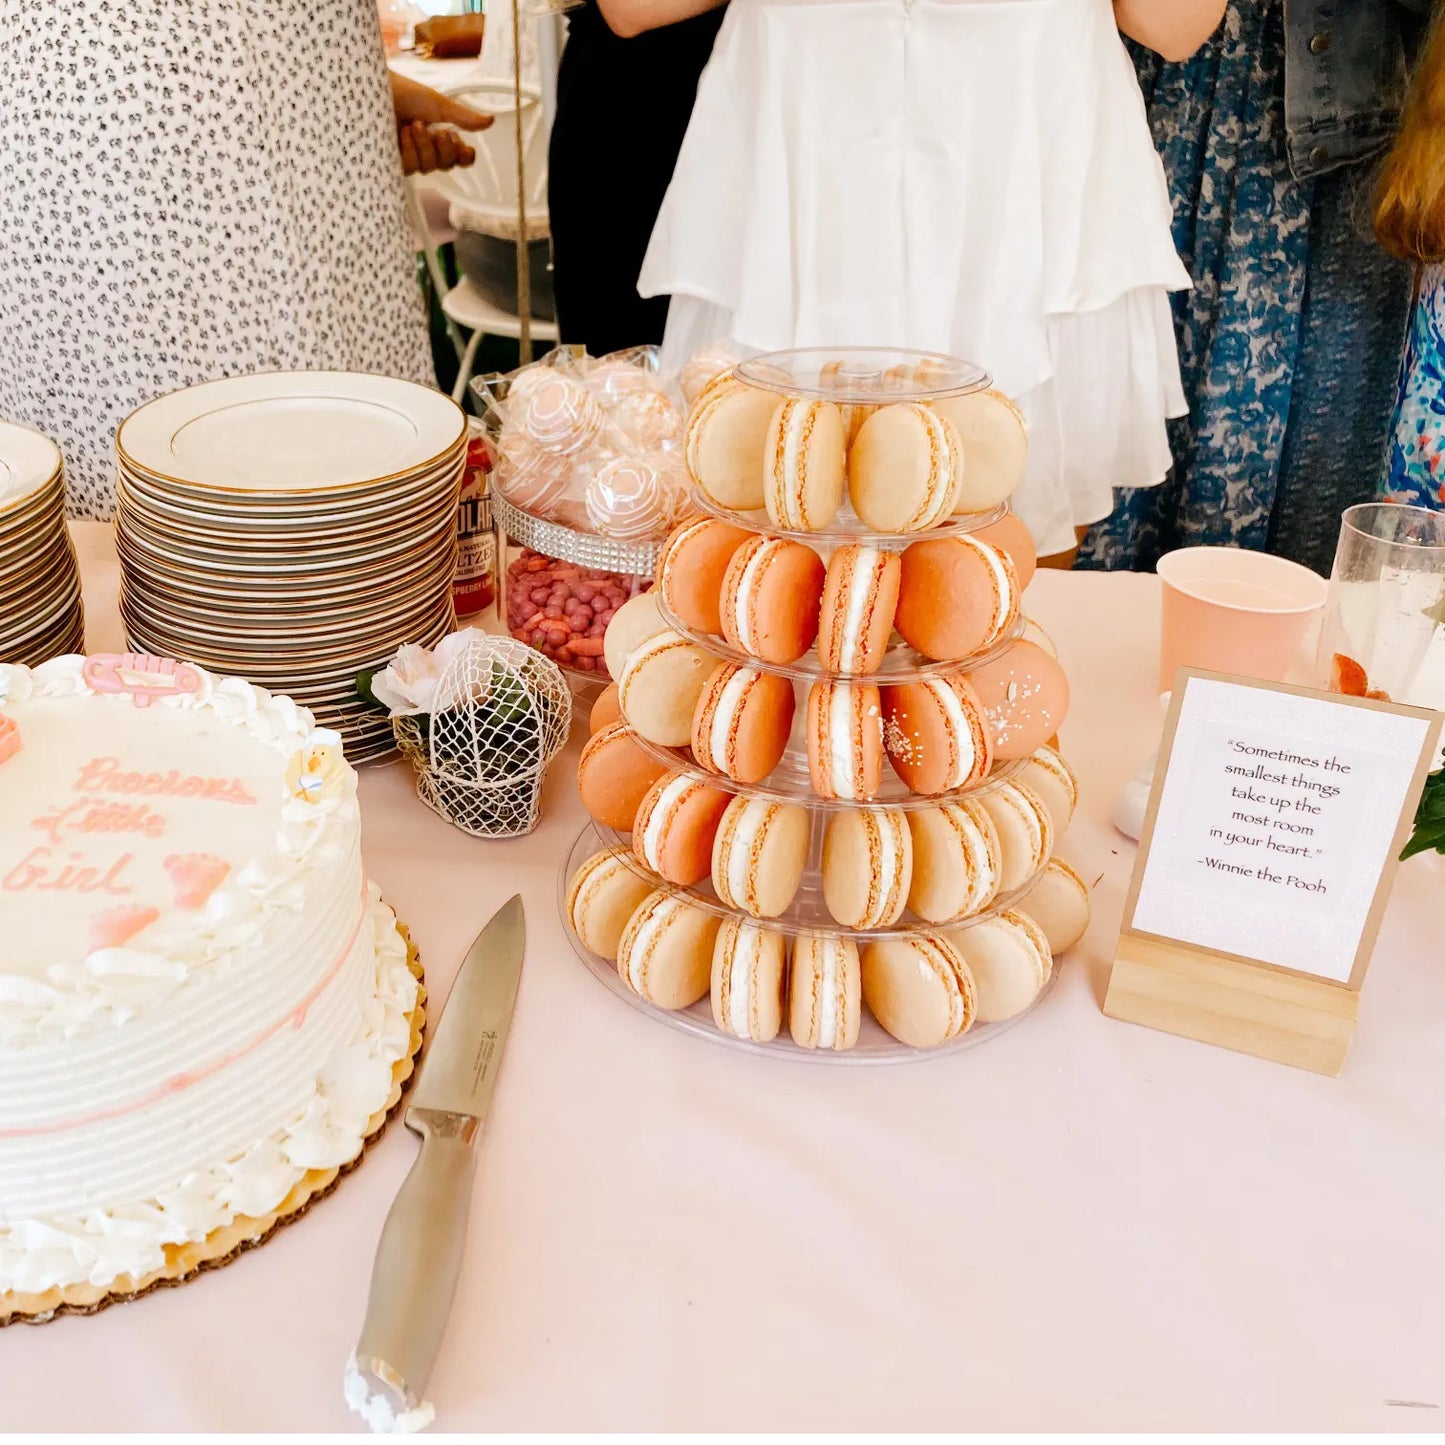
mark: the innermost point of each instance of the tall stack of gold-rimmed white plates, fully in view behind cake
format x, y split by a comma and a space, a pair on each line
293, 530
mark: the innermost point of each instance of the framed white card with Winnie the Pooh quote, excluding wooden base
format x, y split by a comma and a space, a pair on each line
1278, 823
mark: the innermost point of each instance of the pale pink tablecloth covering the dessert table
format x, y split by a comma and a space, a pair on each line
1082, 1226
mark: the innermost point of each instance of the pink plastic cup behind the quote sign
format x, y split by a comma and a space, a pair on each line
1230, 611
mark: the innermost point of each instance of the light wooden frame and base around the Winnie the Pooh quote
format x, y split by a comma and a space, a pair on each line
1236, 1002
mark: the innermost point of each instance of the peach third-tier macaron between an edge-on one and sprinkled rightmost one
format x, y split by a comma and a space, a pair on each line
936, 736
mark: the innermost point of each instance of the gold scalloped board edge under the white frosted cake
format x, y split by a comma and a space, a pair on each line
228, 1243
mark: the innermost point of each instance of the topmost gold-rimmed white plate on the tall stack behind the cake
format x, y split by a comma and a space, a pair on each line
291, 433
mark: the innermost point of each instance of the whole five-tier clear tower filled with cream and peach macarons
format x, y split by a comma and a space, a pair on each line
826, 791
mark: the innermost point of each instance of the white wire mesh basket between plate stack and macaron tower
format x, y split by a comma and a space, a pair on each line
502, 713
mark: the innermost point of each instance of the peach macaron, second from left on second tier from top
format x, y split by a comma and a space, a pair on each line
771, 598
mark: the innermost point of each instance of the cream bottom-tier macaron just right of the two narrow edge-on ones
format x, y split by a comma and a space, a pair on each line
920, 988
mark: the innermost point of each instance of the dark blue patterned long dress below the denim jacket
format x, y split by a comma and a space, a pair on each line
1290, 342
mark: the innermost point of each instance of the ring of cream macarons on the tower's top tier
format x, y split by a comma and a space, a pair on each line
904, 466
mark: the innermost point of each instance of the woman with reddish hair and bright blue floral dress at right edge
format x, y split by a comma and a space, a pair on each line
1411, 223
